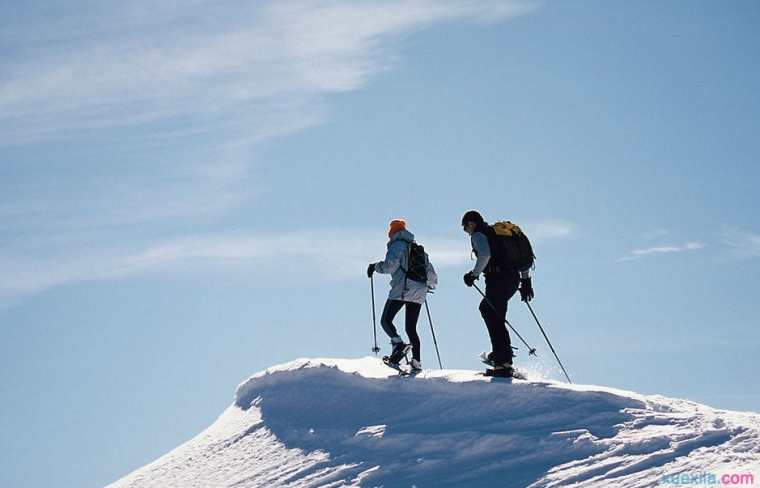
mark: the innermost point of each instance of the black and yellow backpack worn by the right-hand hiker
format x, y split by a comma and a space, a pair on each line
510, 247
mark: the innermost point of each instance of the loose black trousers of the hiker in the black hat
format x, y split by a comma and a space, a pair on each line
499, 289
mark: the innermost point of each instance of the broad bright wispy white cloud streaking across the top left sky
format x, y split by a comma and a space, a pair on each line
215, 65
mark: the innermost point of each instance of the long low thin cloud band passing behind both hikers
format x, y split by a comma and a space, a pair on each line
324, 253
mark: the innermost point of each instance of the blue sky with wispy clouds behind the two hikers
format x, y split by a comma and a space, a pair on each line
190, 193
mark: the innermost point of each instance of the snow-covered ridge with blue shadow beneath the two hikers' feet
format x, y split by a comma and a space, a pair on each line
354, 422
